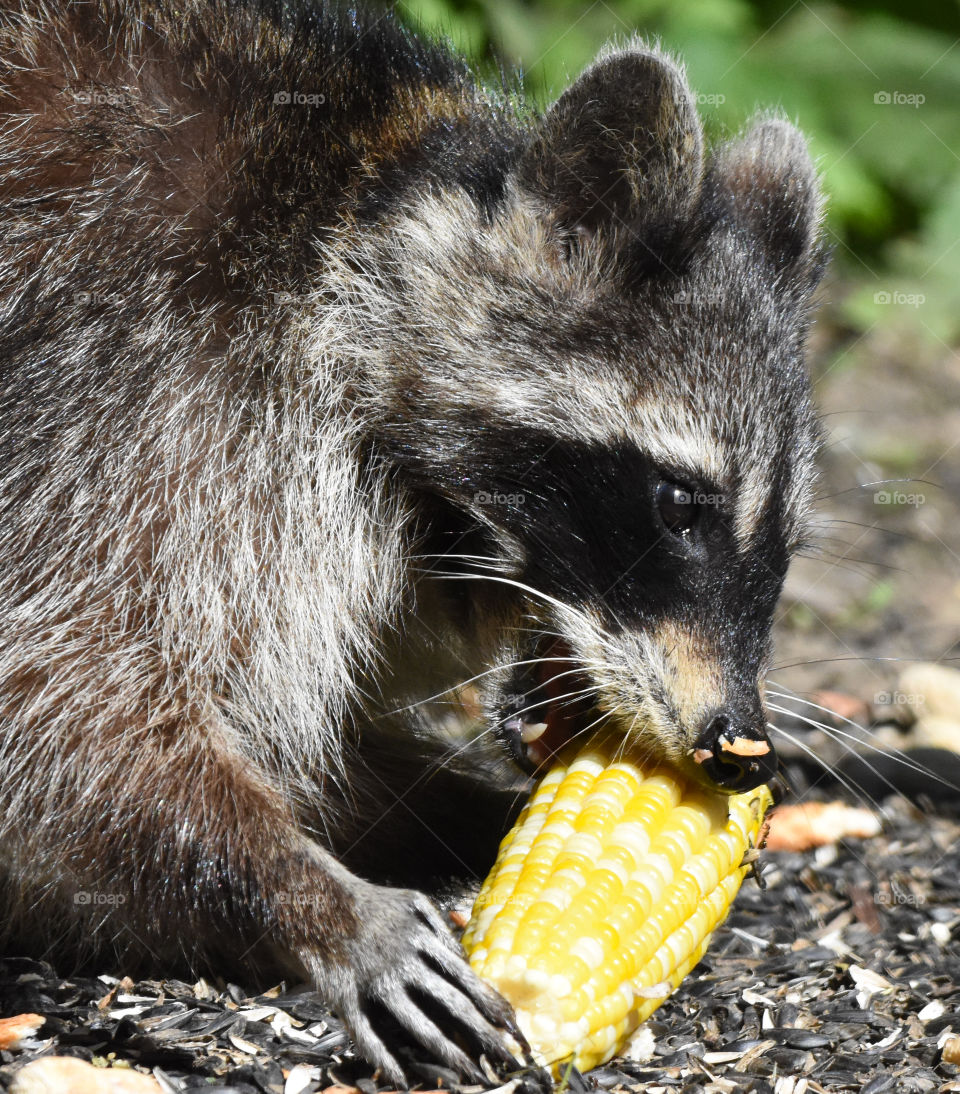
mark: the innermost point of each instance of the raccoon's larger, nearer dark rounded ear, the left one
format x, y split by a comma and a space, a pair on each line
622, 147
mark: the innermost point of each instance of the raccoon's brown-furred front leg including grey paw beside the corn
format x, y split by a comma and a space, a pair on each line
191, 845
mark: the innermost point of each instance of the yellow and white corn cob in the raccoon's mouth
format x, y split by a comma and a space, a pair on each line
604, 897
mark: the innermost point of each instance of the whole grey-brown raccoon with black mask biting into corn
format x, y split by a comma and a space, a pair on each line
336, 380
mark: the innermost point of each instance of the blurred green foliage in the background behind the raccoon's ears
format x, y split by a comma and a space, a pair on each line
876, 87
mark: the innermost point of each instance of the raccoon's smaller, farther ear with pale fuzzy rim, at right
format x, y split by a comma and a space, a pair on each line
769, 182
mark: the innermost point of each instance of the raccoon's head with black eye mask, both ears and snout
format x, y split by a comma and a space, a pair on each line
604, 380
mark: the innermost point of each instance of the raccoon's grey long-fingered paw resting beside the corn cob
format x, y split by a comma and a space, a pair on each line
403, 986
